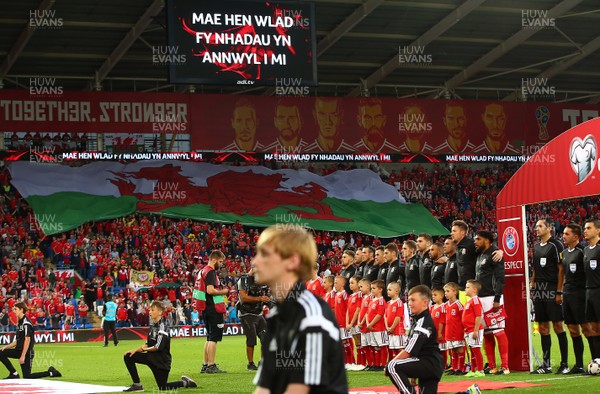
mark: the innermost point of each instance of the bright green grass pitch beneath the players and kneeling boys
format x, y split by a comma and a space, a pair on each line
92, 363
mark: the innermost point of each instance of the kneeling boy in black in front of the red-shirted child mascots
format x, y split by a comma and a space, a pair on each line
421, 358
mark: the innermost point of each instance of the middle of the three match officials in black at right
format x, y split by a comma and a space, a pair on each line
573, 305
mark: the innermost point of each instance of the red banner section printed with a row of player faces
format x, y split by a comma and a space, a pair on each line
387, 125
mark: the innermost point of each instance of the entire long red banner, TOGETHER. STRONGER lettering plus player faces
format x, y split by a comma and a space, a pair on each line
300, 124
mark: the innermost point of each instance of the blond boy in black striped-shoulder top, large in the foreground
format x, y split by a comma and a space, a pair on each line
302, 350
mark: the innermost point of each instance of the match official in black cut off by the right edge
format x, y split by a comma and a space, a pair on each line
591, 257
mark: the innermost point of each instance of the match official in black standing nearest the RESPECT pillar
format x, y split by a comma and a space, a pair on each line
547, 285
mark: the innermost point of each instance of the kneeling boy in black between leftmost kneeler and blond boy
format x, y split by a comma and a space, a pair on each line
156, 354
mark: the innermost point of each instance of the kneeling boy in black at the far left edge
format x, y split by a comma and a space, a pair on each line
22, 349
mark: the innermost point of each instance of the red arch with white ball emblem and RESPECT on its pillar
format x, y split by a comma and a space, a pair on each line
571, 158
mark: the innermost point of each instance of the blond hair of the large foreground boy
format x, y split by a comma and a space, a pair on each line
289, 241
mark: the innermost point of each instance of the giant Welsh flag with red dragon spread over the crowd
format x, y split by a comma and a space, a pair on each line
64, 197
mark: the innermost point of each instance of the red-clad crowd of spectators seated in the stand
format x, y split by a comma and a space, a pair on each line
174, 250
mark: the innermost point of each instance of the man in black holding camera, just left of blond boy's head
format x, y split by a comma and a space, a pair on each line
251, 301
